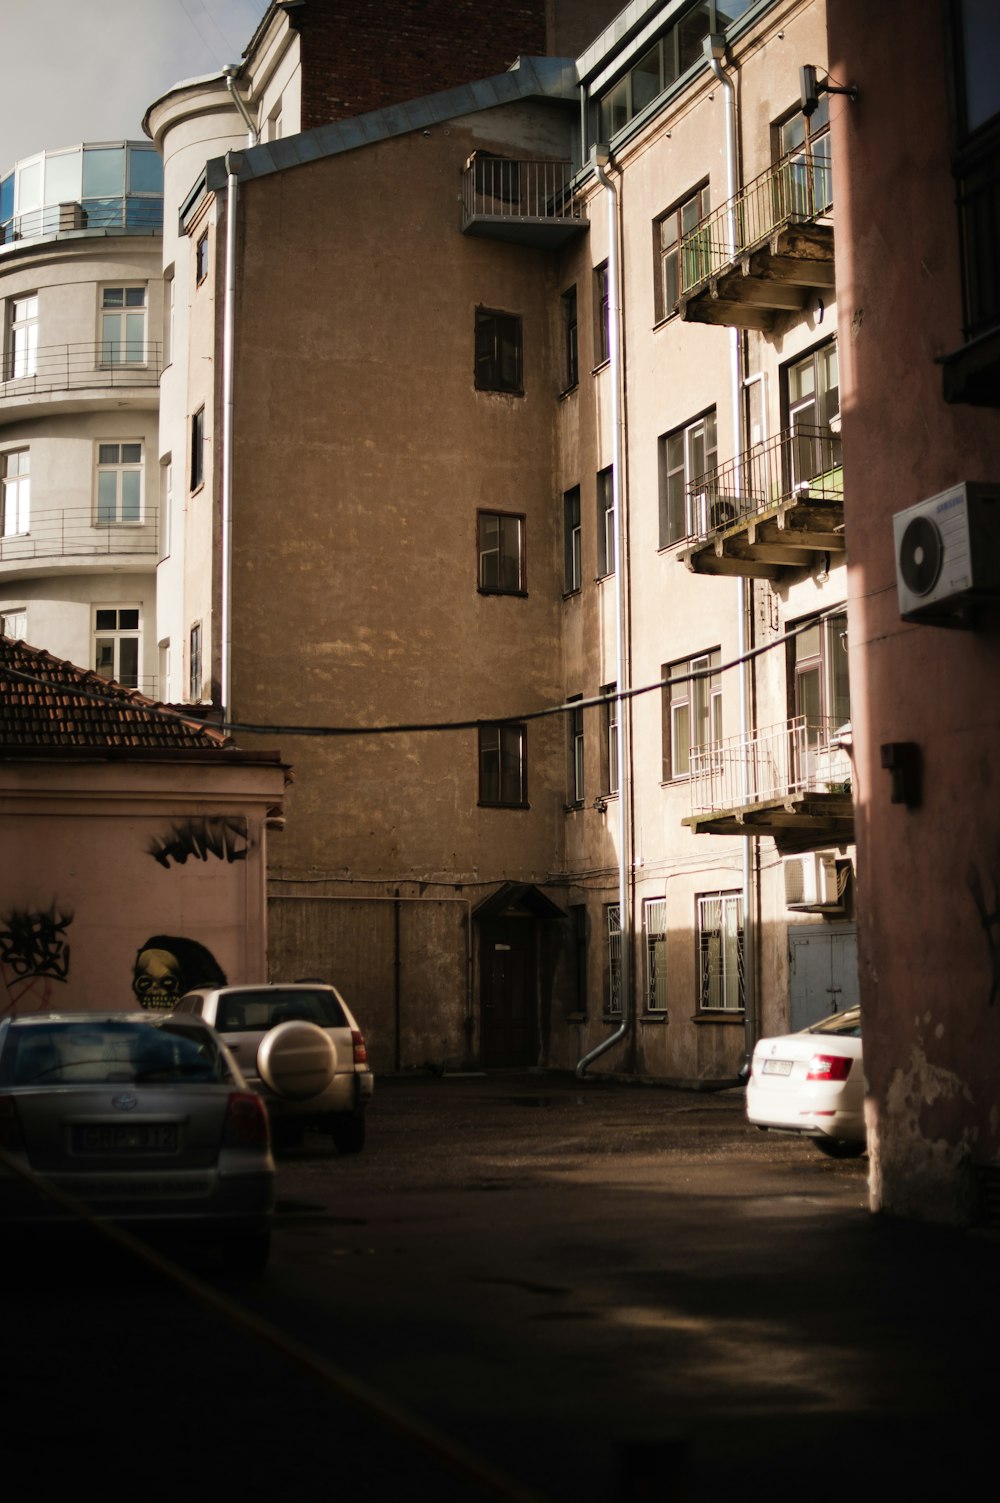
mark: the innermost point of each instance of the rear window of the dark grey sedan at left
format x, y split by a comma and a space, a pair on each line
105, 1053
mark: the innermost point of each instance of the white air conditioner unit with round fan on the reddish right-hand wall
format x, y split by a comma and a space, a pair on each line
948, 554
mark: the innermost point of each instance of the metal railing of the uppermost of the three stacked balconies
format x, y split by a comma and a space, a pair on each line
796, 190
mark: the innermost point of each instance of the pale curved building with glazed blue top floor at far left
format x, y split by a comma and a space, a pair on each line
85, 501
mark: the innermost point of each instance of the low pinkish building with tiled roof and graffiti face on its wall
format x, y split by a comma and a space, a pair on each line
133, 844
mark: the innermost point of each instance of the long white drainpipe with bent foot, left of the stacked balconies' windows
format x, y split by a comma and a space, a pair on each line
602, 160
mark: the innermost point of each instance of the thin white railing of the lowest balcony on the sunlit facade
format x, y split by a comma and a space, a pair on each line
796, 757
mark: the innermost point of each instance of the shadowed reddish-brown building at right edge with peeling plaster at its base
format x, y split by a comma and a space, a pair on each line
917, 171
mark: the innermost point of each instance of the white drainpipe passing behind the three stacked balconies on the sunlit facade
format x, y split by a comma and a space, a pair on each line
715, 53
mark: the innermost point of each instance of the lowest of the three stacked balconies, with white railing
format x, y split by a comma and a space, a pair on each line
792, 782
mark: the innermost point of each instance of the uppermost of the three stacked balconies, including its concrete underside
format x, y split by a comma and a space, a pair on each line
766, 253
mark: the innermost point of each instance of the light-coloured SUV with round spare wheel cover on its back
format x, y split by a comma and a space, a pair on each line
300, 1048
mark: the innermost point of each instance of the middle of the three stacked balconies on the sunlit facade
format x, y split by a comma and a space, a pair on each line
775, 510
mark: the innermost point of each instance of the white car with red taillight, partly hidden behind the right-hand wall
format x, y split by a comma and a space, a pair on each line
813, 1083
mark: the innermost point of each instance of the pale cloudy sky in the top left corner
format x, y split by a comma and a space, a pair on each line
86, 70
